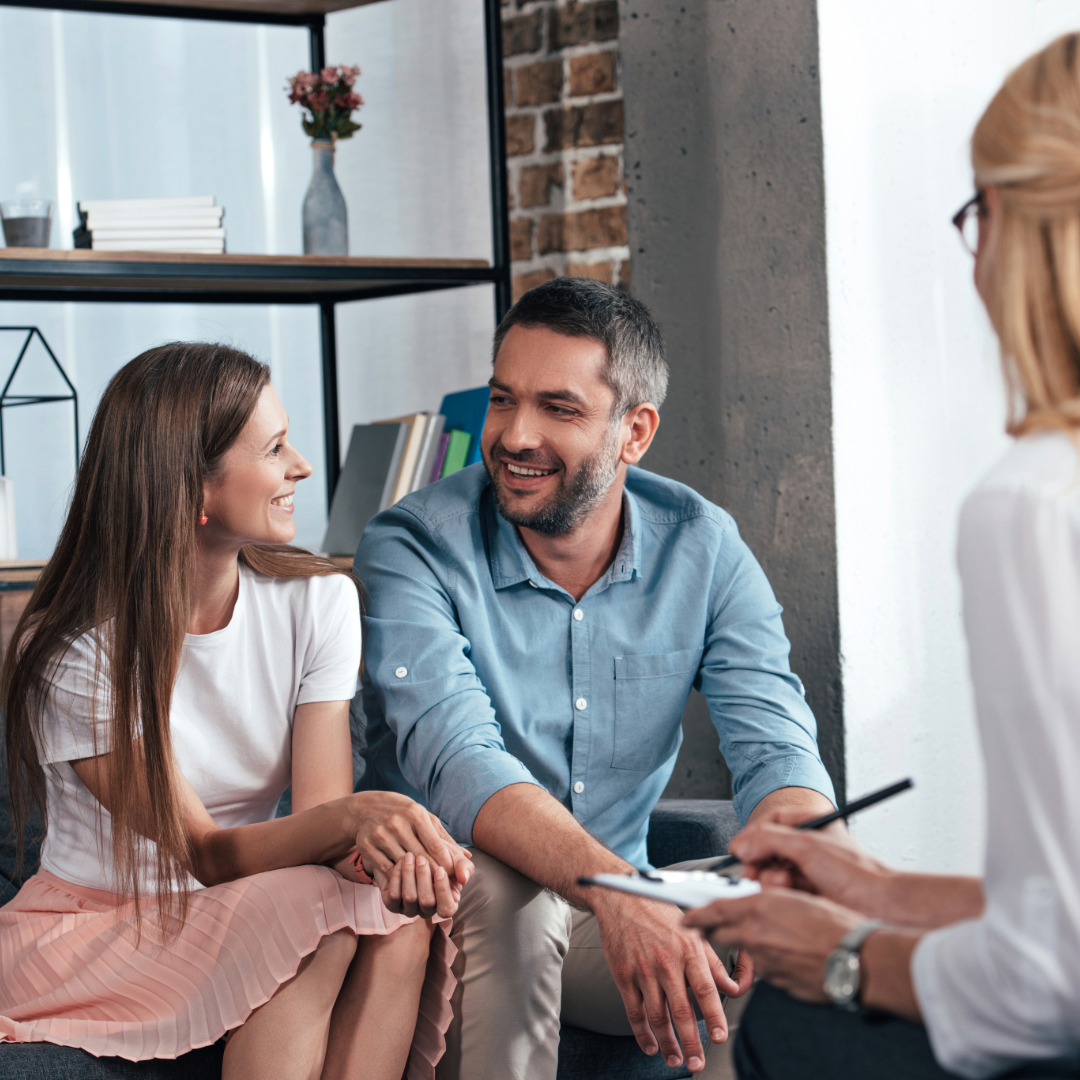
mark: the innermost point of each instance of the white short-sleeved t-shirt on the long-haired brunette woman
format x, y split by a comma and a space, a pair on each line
291, 641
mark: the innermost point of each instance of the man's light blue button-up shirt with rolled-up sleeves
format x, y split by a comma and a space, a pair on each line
482, 673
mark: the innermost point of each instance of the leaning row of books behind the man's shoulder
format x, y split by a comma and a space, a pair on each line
390, 458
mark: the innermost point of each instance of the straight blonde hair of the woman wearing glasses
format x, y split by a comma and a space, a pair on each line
1028, 144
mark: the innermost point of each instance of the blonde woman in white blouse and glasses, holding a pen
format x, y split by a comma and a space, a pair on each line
962, 977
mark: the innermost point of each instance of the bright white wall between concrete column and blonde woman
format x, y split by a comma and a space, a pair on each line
919, 403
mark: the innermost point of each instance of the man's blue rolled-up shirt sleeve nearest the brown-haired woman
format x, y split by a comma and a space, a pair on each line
418, 667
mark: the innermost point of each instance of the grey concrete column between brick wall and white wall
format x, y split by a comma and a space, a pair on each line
727, 240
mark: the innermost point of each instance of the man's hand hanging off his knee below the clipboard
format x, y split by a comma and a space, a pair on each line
655, 961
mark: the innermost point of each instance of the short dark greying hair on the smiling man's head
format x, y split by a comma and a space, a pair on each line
579, 307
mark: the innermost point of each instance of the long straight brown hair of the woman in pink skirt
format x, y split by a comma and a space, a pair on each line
125, 569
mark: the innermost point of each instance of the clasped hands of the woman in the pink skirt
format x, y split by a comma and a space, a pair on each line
418, 868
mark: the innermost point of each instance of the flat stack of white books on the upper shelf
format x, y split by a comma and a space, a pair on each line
192, 224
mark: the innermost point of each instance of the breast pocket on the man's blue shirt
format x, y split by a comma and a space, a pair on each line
651, 696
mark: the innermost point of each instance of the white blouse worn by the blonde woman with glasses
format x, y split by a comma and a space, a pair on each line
1006, 988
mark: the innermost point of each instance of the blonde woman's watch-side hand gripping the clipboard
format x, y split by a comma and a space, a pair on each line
788, 935
